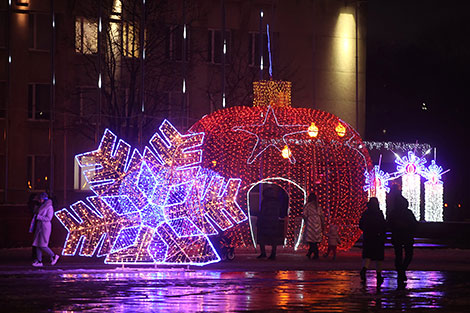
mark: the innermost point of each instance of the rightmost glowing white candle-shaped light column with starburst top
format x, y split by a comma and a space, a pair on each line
433, 193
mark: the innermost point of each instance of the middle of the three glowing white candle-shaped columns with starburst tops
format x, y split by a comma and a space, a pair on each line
411, 168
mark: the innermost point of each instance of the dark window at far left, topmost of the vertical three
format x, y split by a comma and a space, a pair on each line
40, 31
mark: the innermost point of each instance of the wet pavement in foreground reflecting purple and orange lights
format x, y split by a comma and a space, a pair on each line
188, 290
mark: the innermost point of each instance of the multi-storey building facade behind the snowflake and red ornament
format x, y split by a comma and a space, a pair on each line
70, 69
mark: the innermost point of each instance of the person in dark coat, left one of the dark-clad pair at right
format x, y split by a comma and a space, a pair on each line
373, 225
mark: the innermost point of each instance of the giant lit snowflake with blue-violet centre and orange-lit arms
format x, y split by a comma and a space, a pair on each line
156, 207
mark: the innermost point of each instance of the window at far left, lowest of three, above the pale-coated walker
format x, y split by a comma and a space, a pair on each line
37, 172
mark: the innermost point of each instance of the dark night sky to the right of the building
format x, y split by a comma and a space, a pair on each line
419, 52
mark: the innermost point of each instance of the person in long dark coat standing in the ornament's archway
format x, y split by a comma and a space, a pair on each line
269, 223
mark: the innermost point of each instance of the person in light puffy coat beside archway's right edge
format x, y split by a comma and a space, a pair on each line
314, 225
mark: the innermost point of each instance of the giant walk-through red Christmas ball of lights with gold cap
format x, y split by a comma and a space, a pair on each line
248, 142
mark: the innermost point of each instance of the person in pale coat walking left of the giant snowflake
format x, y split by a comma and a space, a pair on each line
42, 230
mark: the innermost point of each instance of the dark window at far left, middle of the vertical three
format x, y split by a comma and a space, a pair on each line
39, 101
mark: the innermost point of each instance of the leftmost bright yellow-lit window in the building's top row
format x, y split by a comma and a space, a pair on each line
86, 35
